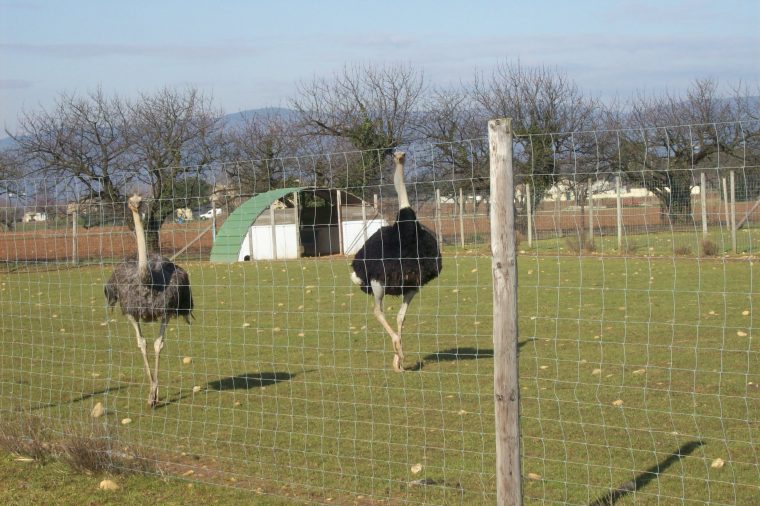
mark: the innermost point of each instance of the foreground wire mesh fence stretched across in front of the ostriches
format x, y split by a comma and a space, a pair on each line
639, 366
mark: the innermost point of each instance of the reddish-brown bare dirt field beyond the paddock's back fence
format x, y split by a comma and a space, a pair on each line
44, 244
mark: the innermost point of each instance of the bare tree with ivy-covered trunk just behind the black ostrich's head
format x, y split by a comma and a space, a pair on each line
370, 106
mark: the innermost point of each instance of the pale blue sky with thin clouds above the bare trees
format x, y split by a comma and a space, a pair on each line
250, 54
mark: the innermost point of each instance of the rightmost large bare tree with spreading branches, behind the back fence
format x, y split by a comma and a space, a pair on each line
664, 139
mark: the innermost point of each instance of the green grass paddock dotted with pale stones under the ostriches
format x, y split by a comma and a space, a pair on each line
623, 361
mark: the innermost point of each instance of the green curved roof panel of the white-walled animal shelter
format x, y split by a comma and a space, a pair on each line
229, 238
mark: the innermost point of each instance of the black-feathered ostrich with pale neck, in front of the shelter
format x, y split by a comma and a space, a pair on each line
397, 260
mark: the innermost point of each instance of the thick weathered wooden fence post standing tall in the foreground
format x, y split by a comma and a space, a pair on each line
504, 269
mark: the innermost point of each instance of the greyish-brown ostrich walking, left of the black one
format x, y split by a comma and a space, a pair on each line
149, 289
